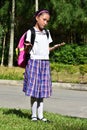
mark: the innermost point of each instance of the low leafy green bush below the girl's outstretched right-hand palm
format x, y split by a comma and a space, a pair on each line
70, 54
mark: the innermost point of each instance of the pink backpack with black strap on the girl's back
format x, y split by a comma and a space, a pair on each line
22, 56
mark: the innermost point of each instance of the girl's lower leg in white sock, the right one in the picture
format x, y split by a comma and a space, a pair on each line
40, 108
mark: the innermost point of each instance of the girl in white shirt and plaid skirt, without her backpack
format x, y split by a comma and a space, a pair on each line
37, 80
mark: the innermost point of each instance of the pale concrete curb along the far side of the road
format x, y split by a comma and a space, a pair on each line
80, 87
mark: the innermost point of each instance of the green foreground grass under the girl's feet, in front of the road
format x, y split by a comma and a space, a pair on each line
14, 119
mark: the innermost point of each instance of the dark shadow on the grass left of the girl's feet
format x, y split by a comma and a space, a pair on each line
19, 113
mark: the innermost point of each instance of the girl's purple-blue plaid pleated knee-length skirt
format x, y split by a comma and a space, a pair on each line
37, 79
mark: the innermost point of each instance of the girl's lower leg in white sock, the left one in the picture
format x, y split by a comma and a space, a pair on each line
34, 106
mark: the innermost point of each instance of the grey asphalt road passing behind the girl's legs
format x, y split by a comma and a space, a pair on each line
63, 101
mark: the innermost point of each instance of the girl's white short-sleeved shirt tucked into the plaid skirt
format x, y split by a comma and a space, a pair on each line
40, 48
